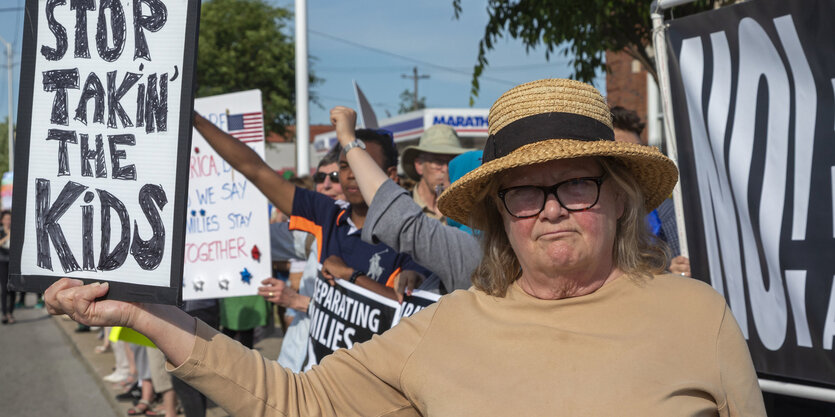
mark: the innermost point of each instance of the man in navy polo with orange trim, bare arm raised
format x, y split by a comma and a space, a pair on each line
336, 224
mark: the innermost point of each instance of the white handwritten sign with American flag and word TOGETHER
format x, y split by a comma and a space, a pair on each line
227, 232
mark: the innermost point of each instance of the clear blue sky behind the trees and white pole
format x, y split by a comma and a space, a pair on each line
358, 40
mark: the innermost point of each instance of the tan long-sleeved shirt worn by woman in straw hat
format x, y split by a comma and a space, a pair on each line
666, 346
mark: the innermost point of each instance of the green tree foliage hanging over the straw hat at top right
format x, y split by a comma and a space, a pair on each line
581, 30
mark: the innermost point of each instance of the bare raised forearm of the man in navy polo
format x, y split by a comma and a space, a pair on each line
279, 191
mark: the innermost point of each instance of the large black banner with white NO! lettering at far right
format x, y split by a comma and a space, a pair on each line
752, 87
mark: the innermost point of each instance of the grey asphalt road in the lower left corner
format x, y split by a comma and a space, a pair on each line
42, 373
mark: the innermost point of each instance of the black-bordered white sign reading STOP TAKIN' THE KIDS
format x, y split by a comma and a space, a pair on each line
101, 163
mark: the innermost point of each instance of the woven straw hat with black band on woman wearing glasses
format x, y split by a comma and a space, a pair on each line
555, 119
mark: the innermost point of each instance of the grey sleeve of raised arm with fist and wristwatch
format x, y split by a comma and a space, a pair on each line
394, 219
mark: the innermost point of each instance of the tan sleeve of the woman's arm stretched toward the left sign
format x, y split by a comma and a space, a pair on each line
362, 381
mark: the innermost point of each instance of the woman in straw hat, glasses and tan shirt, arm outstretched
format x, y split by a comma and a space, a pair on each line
566, 317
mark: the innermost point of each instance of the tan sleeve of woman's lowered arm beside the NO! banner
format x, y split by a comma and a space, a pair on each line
736, 370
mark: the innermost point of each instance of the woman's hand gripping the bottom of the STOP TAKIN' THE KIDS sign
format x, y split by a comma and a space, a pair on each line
79, 301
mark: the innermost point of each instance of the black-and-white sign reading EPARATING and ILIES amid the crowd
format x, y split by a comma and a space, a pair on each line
344, 314
